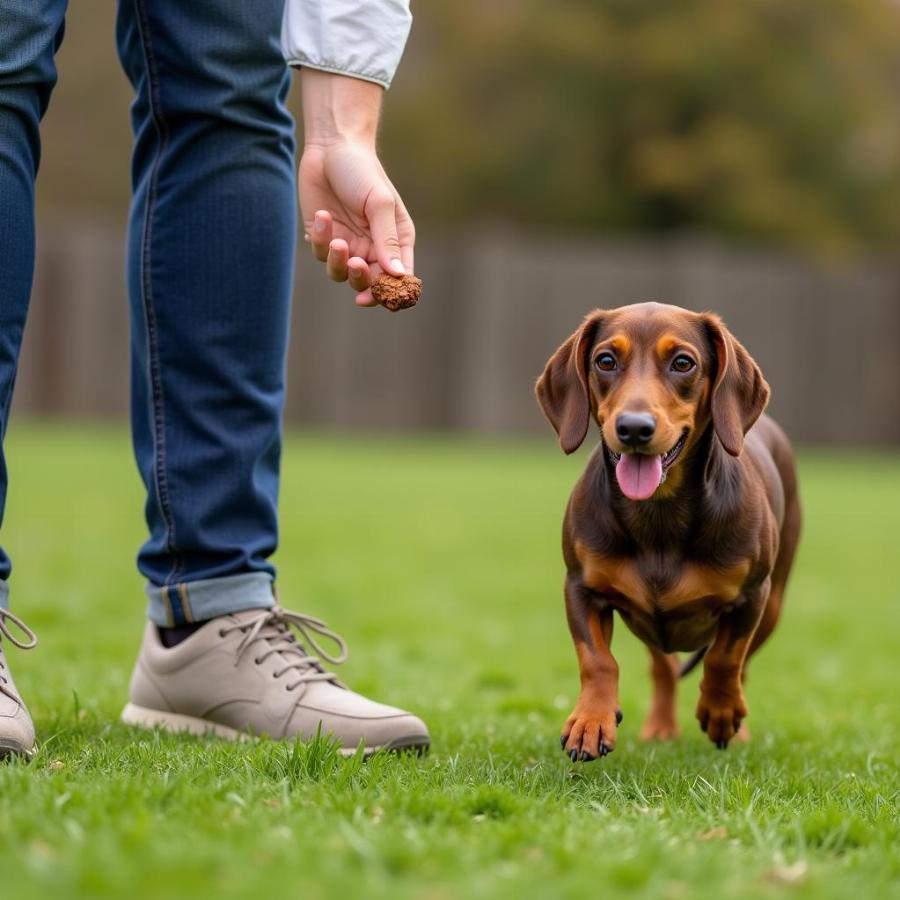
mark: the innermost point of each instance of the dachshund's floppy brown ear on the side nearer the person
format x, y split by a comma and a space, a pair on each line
562, 390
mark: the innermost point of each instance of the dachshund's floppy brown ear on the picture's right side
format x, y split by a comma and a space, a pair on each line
739, 393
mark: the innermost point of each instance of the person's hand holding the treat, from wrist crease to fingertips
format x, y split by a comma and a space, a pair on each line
353, 217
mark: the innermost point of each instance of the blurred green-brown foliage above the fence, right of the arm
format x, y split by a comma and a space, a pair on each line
773, 120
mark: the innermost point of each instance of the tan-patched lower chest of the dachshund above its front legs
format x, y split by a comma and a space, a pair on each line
669, 602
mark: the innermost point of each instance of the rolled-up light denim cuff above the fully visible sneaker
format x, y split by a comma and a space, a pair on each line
197, 601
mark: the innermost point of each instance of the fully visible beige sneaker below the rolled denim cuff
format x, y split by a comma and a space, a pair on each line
247, 673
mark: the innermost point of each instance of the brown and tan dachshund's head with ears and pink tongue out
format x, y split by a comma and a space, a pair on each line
653, 376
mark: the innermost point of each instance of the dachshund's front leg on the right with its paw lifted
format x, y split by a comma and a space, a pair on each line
722, 706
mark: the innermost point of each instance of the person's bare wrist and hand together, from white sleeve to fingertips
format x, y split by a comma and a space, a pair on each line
354, 219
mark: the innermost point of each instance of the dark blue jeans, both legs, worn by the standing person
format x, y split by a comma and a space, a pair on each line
210, 266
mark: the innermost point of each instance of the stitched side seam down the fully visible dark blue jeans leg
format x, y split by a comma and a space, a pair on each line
156, 387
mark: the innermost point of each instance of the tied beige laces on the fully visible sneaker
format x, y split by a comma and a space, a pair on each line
272, 629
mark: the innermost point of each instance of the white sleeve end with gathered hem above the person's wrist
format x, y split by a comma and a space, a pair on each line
360, 38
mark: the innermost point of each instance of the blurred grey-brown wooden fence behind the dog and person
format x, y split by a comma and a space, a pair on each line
496, 304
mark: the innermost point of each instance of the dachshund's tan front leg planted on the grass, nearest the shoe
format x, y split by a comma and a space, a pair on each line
590, 731
